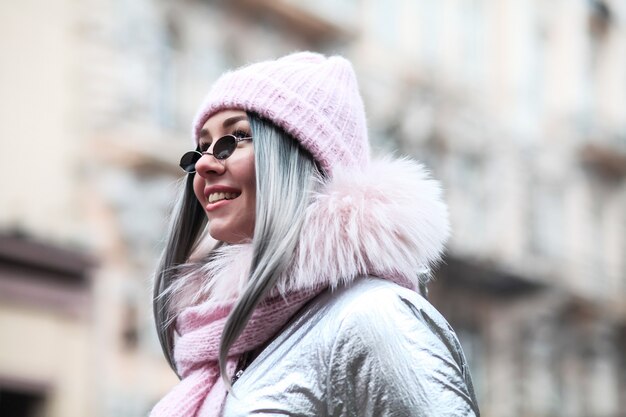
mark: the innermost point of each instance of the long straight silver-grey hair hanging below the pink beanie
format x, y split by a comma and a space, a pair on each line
286, 174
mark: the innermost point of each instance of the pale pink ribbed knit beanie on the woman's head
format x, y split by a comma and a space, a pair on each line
312, 97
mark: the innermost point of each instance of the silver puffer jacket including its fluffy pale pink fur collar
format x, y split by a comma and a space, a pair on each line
370, 347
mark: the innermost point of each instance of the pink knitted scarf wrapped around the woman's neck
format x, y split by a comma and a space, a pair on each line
201, 392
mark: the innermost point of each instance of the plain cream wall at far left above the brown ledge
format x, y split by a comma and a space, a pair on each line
38, 124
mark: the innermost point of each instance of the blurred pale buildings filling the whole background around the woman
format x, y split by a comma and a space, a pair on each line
517, 106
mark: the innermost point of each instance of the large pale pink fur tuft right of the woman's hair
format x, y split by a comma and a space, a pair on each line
387, 221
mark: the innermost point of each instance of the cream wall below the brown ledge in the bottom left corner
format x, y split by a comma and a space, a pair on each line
51, 350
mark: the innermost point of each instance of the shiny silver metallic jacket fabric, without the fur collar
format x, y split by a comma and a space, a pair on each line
371, 349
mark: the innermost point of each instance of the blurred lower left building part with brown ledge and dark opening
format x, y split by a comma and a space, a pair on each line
46, 331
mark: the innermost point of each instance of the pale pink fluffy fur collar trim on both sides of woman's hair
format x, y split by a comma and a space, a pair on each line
387, 220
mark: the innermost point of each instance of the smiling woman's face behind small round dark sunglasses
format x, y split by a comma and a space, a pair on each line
227, 188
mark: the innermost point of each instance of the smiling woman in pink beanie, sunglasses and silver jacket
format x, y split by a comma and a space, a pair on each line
304, 302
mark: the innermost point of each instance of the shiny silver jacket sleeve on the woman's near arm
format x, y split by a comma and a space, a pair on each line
397, 357
